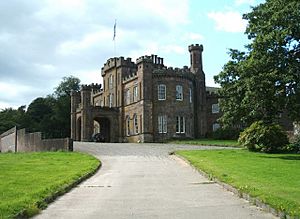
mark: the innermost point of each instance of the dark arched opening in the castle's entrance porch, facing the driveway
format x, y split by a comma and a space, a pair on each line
102, 126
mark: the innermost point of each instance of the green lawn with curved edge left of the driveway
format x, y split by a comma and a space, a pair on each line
29, 180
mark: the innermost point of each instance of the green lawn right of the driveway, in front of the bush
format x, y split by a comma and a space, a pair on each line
273, 178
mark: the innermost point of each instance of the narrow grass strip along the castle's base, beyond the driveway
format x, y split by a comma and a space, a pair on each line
212, 142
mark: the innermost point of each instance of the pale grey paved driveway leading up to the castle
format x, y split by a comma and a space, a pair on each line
143, 181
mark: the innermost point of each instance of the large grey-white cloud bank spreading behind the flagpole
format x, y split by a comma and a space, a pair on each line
43, 41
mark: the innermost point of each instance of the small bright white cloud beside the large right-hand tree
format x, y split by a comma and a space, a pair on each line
230, 21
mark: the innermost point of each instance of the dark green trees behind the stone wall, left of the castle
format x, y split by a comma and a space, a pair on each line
49, 115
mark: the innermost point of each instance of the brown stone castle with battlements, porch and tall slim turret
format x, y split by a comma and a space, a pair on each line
146, 101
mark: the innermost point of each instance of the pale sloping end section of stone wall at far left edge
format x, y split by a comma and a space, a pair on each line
8, 141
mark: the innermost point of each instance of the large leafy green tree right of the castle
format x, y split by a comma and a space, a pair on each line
264, 81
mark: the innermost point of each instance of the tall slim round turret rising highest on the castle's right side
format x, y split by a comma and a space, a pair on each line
199, 90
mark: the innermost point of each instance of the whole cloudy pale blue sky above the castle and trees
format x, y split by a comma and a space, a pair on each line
42, 41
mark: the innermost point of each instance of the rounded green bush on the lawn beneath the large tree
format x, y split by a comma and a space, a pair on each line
263, 137
